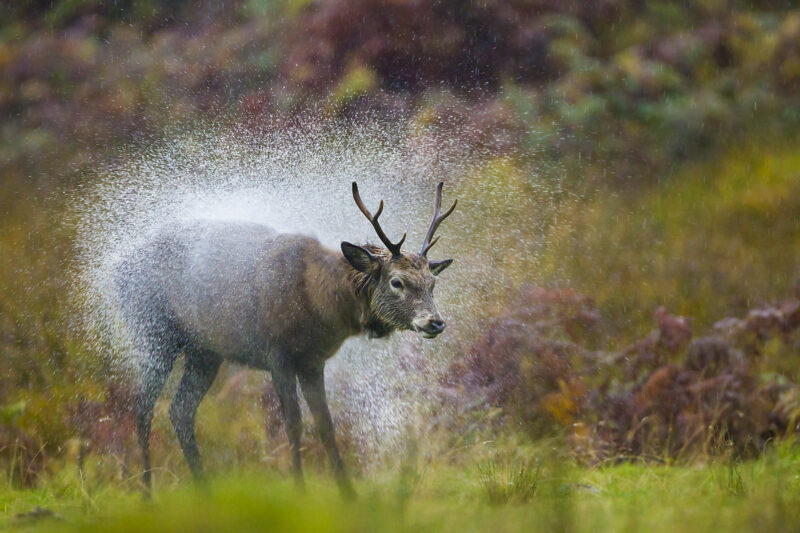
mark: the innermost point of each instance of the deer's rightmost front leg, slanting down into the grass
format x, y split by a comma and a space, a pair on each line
313, 383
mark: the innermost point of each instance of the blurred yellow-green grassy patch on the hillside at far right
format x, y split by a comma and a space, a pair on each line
713, 240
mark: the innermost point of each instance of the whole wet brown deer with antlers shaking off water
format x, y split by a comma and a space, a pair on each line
277, 302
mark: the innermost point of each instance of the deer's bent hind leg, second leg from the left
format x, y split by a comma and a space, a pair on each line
200, 370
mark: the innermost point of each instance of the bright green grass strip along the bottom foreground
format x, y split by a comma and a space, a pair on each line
513, 490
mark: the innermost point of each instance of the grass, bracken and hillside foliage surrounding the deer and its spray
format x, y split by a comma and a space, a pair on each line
660, 142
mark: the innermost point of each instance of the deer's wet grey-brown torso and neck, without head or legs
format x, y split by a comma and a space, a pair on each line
245, 292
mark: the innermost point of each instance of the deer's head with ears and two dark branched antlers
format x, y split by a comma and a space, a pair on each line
399, 284
